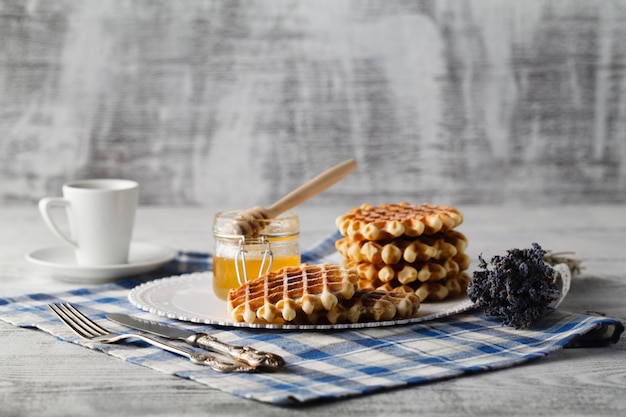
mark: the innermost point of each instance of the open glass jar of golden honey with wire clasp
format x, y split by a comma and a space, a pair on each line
238, 258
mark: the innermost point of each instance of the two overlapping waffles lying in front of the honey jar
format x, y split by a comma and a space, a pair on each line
315, 294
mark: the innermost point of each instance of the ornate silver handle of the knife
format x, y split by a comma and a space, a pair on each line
247, 354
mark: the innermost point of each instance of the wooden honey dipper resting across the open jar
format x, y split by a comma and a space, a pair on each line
247, 224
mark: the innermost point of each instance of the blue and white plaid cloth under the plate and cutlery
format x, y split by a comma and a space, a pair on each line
323, 365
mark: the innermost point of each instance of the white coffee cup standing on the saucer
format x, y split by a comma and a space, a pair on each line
101, 216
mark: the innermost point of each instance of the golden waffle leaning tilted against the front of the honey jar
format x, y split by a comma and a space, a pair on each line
279, 295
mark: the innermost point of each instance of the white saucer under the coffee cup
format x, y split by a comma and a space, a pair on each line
143, 257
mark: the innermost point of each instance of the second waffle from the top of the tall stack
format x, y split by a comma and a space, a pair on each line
423, 248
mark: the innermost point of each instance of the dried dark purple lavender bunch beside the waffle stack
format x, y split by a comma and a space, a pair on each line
518, 288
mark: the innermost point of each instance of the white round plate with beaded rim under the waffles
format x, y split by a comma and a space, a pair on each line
190, 298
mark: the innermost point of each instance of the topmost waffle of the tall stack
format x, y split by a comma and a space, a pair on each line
389, 221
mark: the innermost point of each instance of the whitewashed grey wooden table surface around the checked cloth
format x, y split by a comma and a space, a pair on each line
42, 376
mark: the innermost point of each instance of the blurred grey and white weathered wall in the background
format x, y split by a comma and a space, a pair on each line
236, 102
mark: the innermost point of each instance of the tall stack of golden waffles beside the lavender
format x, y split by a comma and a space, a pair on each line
406, 248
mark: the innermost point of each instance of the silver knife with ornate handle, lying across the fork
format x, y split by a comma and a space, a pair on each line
246, 354
